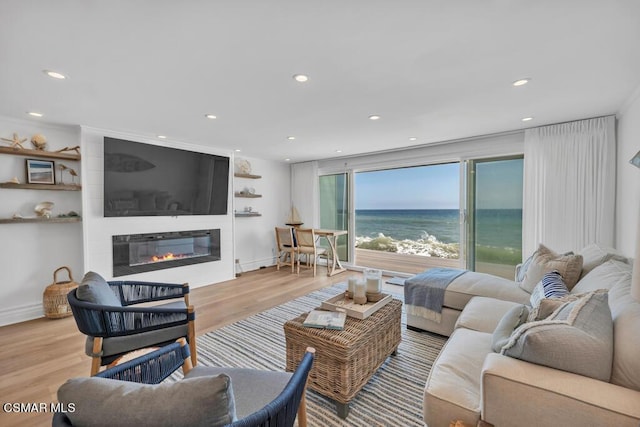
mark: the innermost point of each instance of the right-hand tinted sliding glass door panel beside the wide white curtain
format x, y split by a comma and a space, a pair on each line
494, 215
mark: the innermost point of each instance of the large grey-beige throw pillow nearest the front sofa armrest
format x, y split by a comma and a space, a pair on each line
577, 337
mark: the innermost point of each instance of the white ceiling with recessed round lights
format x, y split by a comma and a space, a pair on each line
434, 70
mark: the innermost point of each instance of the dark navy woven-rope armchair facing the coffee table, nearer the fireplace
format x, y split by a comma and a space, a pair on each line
113, 331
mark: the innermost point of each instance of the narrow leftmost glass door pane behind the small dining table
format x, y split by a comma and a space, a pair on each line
334, 209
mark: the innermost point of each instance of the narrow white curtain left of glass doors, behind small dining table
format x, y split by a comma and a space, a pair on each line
304, 192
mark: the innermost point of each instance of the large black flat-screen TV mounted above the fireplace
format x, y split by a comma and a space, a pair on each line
151, 180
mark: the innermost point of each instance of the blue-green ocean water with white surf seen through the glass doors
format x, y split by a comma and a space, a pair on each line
436, 232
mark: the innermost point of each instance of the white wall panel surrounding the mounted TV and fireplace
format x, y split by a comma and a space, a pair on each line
98, 230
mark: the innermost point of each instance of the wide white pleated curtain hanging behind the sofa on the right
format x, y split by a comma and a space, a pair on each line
569, 185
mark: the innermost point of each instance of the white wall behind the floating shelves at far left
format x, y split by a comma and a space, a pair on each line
30, 253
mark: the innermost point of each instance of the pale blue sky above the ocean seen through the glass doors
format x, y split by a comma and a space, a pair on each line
438, 187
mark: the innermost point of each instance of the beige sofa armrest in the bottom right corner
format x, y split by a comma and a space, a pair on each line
515, 392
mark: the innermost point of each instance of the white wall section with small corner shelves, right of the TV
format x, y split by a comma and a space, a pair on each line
255, 239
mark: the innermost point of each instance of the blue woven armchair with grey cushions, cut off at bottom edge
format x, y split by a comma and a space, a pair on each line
279, 407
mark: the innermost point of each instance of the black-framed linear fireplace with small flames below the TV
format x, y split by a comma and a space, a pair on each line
138, 253
